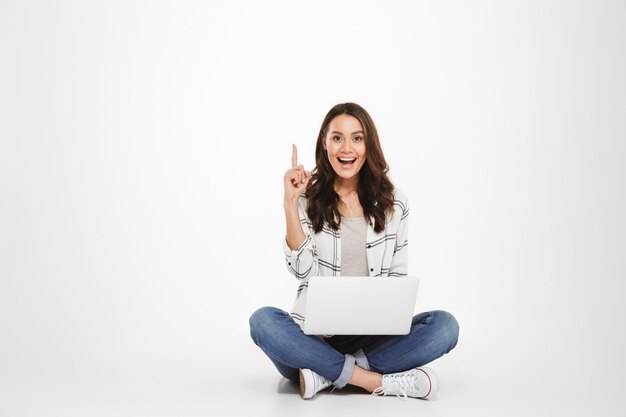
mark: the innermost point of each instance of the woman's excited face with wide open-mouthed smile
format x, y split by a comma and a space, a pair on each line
345, 144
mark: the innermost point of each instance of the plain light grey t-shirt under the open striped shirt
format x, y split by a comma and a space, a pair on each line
353, 256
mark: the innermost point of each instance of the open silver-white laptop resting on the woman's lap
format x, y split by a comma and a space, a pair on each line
360, 305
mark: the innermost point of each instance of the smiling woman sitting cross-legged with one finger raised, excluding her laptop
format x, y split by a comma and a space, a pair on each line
346, 218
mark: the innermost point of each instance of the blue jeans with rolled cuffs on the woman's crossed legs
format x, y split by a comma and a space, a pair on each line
432, 335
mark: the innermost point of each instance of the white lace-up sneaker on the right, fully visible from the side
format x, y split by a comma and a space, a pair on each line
419, 383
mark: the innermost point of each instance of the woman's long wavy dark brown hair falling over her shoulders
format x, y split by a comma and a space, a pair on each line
374, 189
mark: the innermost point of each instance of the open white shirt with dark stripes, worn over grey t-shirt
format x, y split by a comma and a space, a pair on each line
320, 253
